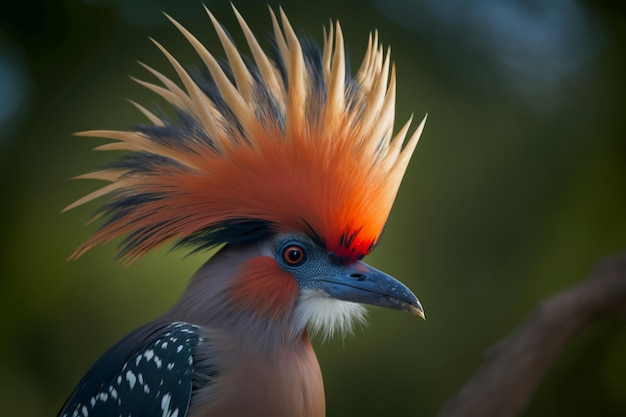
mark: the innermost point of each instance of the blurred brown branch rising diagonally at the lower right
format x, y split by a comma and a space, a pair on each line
514, 367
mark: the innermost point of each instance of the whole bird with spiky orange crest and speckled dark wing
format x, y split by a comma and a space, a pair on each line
287, 165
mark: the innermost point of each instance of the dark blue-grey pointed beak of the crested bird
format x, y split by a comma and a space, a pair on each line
360, 283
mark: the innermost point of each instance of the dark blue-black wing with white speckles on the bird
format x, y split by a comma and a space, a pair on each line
149, 372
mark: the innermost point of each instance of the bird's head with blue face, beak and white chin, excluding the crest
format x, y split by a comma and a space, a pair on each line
290, 282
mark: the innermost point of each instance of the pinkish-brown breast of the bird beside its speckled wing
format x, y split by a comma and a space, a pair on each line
283, 383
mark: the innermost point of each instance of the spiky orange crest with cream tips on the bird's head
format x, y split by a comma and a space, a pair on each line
288, 143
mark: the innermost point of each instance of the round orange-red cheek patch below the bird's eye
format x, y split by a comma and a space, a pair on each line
264, 287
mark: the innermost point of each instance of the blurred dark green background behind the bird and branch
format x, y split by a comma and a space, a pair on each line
516, 190
